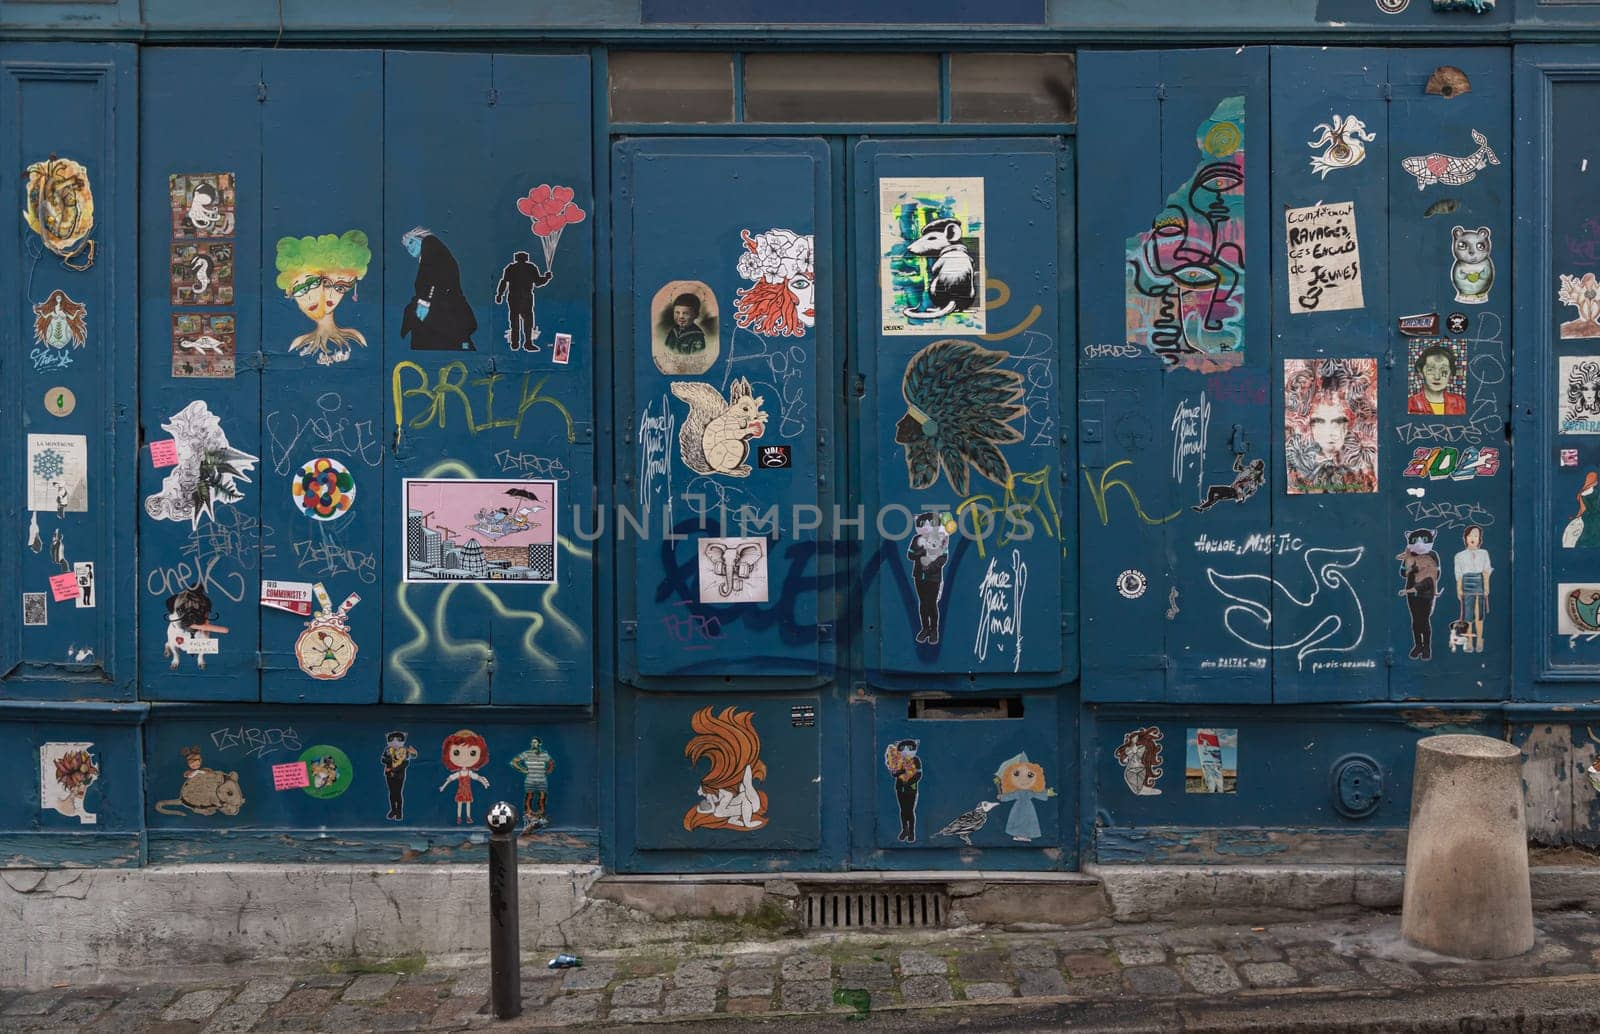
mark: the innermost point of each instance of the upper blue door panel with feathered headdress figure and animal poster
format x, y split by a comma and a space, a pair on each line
966, 447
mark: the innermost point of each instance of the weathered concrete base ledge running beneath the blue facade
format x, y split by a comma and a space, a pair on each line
103, 926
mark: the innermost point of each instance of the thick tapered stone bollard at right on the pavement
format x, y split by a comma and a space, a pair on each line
1466, 862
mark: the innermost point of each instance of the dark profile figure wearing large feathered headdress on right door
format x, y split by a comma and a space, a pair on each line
959, 411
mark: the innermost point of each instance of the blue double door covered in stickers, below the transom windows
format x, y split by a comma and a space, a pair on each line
844, 388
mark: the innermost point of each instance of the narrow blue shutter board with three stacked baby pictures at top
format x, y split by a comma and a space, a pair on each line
220, 551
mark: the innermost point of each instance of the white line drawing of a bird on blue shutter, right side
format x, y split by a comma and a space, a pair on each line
1250, 620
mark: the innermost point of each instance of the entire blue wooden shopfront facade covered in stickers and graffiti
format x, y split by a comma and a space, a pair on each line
1124, 543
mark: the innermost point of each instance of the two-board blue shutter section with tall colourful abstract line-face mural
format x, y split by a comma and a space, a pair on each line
1177, 377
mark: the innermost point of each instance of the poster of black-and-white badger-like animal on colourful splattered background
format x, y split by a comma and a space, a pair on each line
932, 254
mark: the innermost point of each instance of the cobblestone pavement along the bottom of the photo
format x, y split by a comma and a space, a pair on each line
1350, 974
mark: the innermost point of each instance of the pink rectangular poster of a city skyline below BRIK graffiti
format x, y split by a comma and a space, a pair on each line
481, 531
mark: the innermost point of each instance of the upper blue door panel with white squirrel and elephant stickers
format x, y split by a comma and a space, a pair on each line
729, 417
